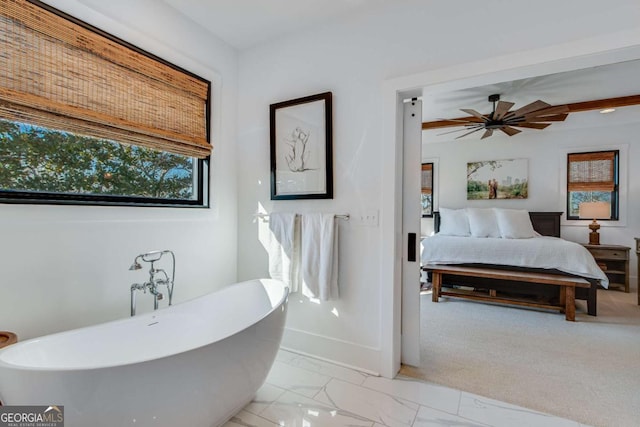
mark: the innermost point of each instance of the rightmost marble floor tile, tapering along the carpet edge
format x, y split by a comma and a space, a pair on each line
500, 414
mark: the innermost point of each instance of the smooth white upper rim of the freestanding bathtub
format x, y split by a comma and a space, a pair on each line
4, 364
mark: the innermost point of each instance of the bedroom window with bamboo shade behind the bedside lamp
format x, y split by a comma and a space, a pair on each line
592, 176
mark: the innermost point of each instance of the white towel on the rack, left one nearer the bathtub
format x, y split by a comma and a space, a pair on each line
284, 249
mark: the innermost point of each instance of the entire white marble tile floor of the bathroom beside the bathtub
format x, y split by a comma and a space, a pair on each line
304, 392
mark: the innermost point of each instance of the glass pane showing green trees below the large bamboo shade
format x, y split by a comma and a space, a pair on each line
40, 164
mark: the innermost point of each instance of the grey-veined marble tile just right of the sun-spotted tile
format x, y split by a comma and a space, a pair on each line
371, 404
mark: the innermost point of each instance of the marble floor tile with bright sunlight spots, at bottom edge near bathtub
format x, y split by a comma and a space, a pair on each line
294, 410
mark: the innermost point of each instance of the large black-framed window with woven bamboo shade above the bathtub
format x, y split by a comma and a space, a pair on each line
88, 118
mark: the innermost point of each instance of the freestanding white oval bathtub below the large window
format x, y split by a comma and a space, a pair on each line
196, 363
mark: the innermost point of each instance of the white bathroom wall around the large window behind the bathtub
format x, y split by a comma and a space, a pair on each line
67, 266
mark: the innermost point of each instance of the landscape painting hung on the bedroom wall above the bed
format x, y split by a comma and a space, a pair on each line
498, 179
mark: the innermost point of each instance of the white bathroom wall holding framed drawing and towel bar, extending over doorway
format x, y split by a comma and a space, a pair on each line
353, 58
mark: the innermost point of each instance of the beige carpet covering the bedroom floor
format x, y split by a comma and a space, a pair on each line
587, 371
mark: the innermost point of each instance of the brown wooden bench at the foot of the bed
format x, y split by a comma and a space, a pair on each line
567, 284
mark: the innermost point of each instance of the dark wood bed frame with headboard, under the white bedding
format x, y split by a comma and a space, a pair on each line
547, 224
